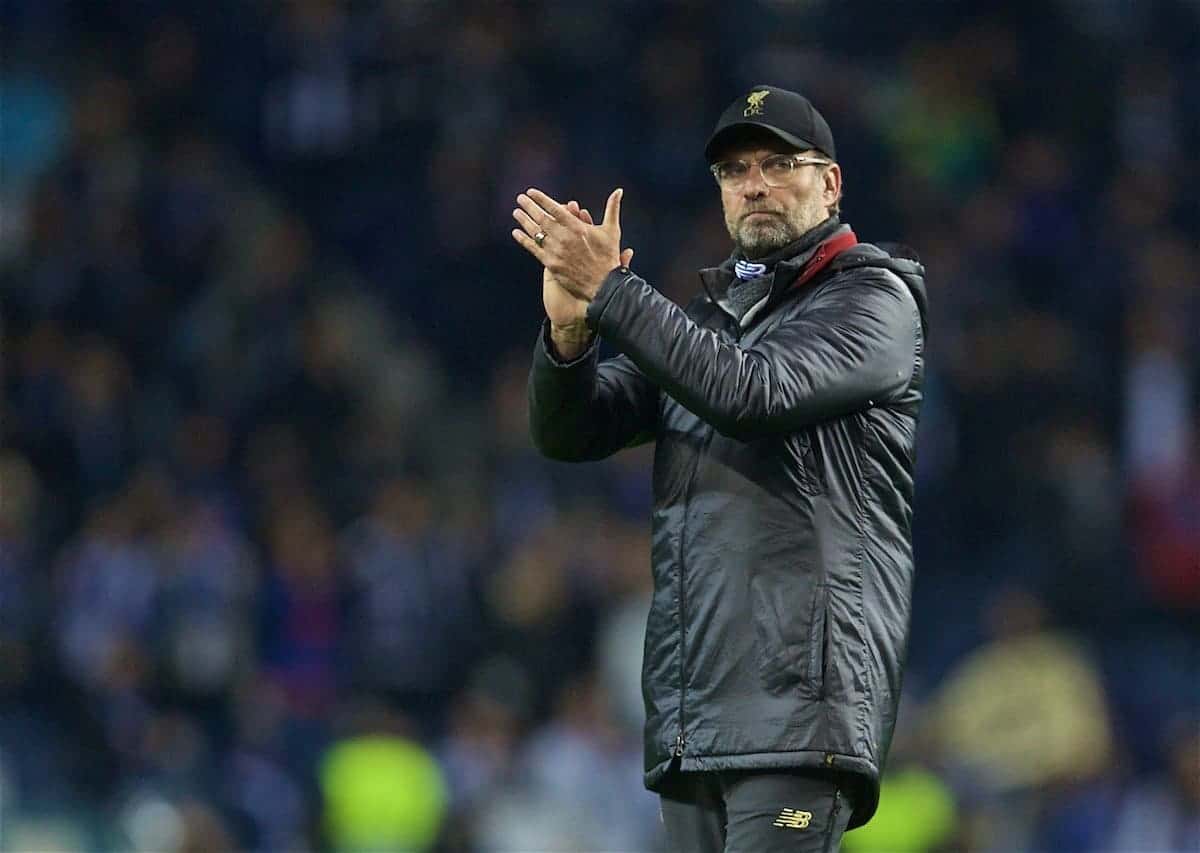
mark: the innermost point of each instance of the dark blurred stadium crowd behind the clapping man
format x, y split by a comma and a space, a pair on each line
279, 567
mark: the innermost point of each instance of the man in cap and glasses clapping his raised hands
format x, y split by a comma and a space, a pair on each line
784, 405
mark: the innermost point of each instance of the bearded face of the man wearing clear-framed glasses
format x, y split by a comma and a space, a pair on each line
761, 219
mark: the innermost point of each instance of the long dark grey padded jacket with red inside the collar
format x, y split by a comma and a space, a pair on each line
783, 501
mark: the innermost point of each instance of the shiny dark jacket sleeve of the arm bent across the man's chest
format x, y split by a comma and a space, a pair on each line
855, 345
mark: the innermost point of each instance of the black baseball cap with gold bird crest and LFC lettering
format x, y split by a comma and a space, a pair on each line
787, 115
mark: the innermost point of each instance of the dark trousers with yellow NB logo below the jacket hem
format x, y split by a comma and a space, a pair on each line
754, 812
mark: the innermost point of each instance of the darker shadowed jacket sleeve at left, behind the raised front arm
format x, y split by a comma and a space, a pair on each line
587, 410
